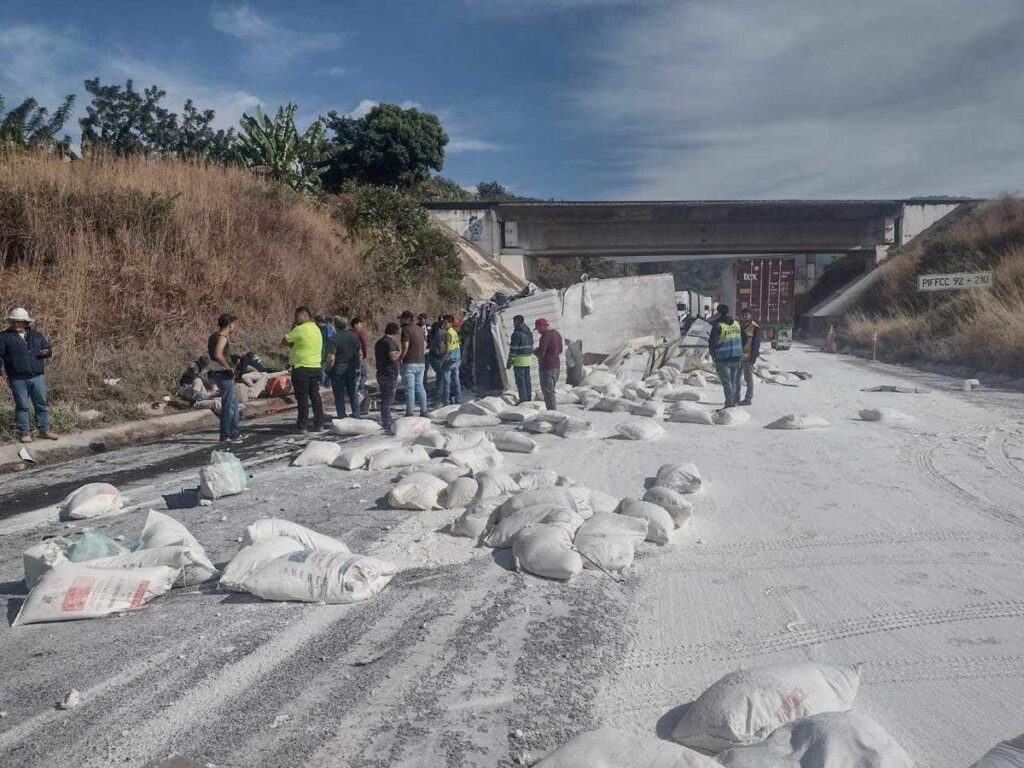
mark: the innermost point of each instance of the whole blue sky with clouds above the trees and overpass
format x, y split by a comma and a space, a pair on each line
592, 99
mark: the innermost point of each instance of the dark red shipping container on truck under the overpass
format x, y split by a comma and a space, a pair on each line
766, 288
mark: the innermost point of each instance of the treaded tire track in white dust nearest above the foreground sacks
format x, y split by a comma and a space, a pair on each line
781, 642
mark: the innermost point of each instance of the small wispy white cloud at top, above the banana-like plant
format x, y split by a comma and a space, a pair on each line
269, 46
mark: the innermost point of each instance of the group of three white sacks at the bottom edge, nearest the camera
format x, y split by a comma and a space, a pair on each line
776, 716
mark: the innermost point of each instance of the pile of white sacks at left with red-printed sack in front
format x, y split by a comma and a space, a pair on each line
88, 576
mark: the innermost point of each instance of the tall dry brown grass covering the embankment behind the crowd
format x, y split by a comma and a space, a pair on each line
126, 265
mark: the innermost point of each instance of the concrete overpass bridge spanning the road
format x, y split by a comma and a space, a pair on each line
517, 233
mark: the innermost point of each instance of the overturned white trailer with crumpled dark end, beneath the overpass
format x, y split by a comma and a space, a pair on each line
598, 318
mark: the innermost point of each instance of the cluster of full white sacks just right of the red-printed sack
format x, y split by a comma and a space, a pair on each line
282, 561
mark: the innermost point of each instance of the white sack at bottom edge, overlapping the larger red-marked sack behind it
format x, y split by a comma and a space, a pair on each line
832, 740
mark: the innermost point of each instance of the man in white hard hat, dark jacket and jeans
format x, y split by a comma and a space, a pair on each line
23, 351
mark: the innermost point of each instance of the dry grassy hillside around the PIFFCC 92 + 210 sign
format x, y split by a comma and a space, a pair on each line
979, 328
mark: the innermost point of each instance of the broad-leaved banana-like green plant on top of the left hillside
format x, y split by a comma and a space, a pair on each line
279, 150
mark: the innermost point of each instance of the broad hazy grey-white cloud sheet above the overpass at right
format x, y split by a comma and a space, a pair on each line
746, 99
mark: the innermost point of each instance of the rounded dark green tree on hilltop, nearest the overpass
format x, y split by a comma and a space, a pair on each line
390, 146
